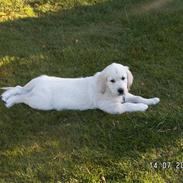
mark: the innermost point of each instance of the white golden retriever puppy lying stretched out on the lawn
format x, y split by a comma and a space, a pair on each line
107, 90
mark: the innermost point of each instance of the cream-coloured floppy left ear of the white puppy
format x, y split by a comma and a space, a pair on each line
101, 82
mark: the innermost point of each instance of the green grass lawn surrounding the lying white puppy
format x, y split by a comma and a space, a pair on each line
78, 38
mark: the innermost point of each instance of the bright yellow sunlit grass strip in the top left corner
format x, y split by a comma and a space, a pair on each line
16, 9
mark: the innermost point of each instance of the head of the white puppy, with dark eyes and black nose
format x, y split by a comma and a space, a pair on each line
115, 79
